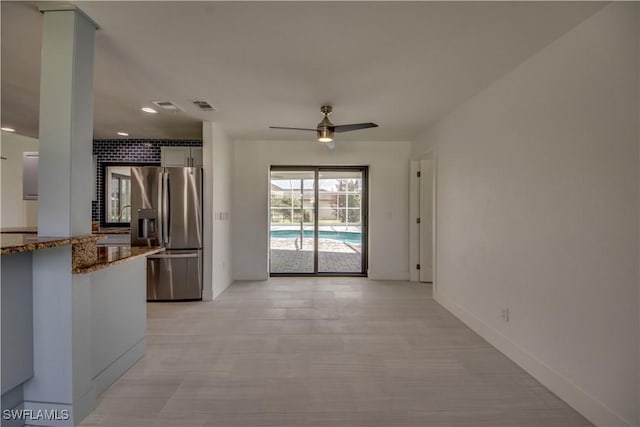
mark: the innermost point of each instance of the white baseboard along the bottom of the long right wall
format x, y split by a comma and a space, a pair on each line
591, 408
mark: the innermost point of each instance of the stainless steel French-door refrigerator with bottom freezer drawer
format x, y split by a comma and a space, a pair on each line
166, 210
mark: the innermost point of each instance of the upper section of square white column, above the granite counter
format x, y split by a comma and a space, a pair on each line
66, 122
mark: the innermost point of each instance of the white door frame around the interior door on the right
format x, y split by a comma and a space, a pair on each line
414, 213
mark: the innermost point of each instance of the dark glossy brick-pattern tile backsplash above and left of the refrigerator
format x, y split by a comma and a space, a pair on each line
128, 150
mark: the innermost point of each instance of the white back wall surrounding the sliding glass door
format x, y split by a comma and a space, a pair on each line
388, 200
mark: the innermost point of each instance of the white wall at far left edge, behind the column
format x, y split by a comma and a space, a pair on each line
15, 212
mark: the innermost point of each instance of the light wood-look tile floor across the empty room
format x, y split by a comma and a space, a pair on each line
325, 352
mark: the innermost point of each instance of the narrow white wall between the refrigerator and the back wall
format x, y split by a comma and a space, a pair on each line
217, 156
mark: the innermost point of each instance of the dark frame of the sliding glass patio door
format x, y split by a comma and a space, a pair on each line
364, 204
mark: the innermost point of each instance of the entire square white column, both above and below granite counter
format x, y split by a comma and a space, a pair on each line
61, 300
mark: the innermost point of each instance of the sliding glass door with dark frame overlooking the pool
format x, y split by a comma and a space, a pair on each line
318, 220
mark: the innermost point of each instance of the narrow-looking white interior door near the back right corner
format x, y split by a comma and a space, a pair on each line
426, 220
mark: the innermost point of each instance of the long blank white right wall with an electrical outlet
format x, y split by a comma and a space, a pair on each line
537, 182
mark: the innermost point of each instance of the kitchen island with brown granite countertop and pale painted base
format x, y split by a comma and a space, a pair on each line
85, 335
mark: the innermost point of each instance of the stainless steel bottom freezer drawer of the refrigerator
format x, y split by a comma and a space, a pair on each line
174, 275
